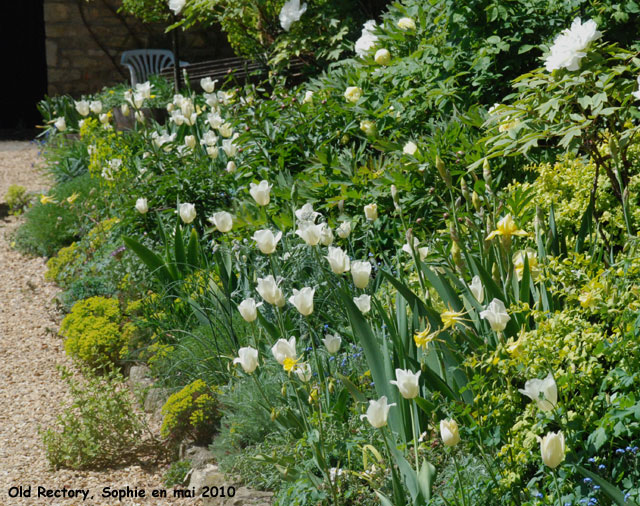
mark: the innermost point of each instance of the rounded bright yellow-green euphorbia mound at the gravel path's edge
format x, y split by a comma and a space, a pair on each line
94, 332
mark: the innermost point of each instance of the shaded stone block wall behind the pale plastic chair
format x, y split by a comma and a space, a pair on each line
85, 40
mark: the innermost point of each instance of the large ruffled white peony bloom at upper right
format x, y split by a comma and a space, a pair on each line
569, 47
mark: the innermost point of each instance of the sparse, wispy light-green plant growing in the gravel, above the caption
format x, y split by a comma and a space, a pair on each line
99, 428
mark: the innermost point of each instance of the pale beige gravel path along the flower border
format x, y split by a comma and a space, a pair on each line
31, 391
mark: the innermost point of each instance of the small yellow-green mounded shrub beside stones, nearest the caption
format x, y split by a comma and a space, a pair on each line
193, 412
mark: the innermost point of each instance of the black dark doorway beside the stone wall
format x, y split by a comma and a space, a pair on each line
23, 67
